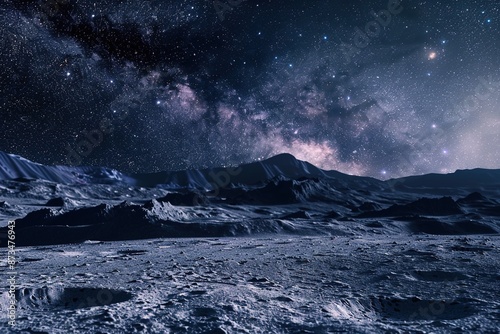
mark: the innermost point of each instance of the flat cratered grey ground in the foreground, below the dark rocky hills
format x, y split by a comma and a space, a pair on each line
277, 284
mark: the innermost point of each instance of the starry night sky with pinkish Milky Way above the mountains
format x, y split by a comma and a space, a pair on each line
375, 88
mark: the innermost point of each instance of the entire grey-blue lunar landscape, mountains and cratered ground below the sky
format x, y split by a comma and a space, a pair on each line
275, 246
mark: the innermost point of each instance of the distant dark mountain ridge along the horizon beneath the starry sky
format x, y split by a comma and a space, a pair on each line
254, 173
